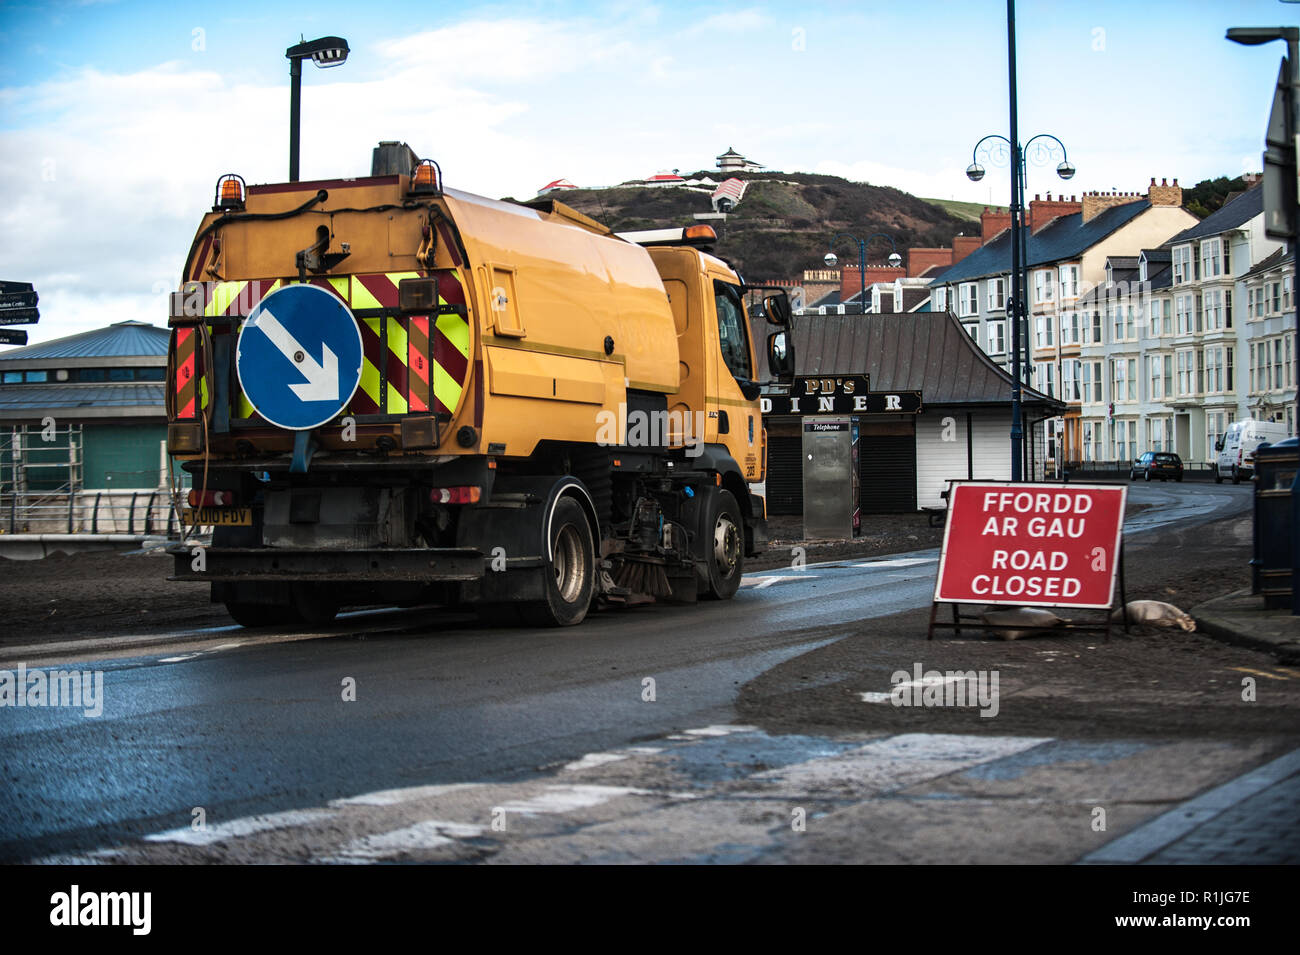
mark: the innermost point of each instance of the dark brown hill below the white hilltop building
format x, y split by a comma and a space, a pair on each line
786, 222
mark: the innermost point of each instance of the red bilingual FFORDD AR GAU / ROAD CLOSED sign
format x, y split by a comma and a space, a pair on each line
1032, 545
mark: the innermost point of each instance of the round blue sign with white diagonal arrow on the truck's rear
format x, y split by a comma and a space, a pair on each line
300, 358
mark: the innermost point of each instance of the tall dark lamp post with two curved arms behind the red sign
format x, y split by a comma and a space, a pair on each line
1020, 258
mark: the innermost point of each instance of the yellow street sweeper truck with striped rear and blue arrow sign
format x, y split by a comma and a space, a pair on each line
389, 392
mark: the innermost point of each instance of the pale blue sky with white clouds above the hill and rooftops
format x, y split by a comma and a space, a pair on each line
116, 119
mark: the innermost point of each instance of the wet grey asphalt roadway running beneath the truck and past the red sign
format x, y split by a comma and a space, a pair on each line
263, 727
